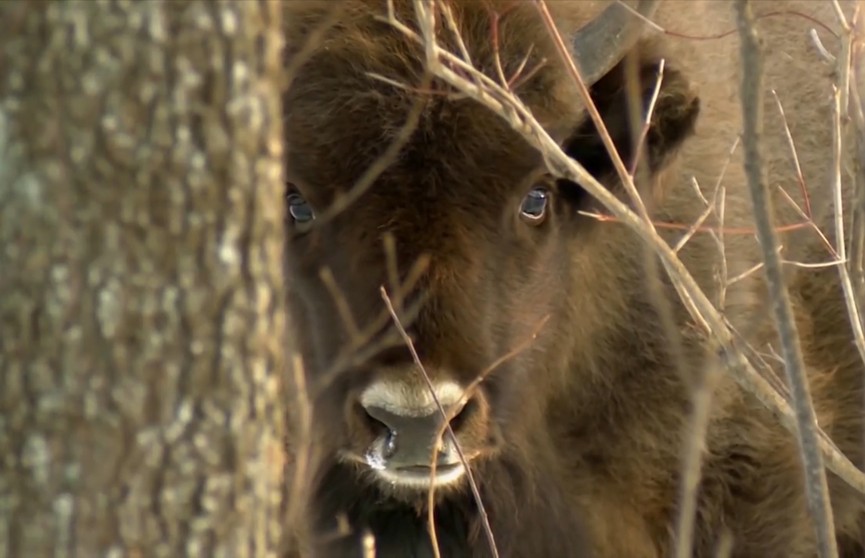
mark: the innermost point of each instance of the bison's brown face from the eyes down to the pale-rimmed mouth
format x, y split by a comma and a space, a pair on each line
476, 261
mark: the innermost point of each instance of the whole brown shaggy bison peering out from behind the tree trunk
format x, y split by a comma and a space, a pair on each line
575, 440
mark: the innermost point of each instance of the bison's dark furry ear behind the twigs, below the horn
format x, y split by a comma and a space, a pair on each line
673, 117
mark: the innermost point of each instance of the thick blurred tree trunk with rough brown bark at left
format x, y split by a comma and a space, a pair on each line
141, 317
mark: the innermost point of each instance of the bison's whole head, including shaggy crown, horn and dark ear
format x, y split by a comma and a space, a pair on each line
497, 276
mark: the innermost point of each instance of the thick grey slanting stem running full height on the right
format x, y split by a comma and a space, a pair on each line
816, 488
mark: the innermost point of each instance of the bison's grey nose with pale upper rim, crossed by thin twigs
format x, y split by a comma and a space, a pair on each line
408, 428
